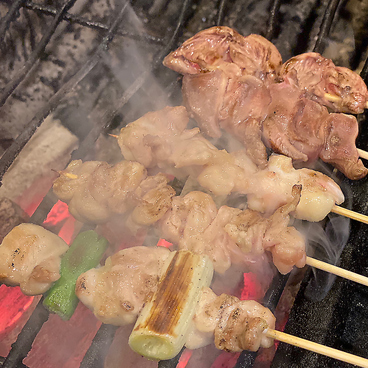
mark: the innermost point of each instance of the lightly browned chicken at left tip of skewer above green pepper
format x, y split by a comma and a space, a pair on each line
96, 191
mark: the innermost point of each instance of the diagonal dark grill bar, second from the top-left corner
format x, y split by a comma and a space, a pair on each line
36, 54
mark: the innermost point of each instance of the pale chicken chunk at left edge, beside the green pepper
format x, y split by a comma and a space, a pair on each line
30, 257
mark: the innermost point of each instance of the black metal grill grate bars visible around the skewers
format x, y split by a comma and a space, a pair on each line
95, 354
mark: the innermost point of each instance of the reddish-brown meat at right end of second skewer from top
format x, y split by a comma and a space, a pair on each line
304, 130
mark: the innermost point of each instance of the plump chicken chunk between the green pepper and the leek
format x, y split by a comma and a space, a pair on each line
117, 291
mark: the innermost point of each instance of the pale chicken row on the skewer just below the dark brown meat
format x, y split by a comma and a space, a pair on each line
189, 153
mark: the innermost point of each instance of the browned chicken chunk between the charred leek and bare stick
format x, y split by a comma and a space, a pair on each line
233, 324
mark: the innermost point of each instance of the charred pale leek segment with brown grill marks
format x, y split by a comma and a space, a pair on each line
162, 326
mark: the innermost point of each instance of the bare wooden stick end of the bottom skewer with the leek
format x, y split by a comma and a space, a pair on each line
317, 348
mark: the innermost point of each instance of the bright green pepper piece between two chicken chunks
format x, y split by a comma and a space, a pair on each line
85, 253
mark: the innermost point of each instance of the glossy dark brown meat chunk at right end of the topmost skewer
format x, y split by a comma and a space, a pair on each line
338, 88
